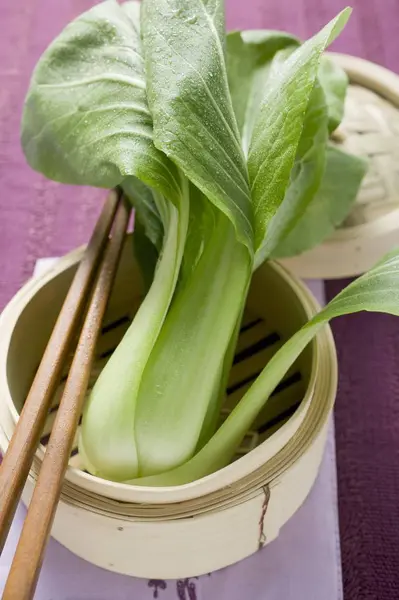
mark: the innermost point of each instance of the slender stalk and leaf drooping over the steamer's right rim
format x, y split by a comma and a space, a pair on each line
376, 291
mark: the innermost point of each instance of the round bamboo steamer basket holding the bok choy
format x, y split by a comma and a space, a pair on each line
187, 530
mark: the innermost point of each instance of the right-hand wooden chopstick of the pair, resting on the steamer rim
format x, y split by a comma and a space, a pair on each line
25, 569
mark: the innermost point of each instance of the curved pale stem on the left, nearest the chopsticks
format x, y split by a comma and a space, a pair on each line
107, 440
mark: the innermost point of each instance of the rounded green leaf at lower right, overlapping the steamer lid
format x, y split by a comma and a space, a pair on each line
329, 207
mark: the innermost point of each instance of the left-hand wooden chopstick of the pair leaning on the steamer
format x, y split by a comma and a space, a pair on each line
18, 458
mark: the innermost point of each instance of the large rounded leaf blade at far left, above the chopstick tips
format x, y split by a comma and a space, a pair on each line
86, 119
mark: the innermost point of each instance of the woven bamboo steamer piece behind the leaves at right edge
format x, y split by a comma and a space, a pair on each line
370, 128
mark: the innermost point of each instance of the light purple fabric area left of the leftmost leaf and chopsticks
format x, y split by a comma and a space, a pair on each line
37, 217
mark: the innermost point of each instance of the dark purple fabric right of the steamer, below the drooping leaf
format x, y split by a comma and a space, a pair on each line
367, 443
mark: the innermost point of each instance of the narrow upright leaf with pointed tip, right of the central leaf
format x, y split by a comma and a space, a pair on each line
278, 127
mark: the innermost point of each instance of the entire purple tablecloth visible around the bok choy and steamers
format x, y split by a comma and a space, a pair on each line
40, 218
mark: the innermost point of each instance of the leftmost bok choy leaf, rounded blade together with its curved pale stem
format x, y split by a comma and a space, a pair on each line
87, 121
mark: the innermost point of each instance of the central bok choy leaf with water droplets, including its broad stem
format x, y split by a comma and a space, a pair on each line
194, 124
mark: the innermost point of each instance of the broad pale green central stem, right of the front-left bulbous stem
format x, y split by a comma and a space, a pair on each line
186, 365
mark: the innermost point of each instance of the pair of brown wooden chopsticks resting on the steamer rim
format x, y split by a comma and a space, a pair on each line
88, 294
